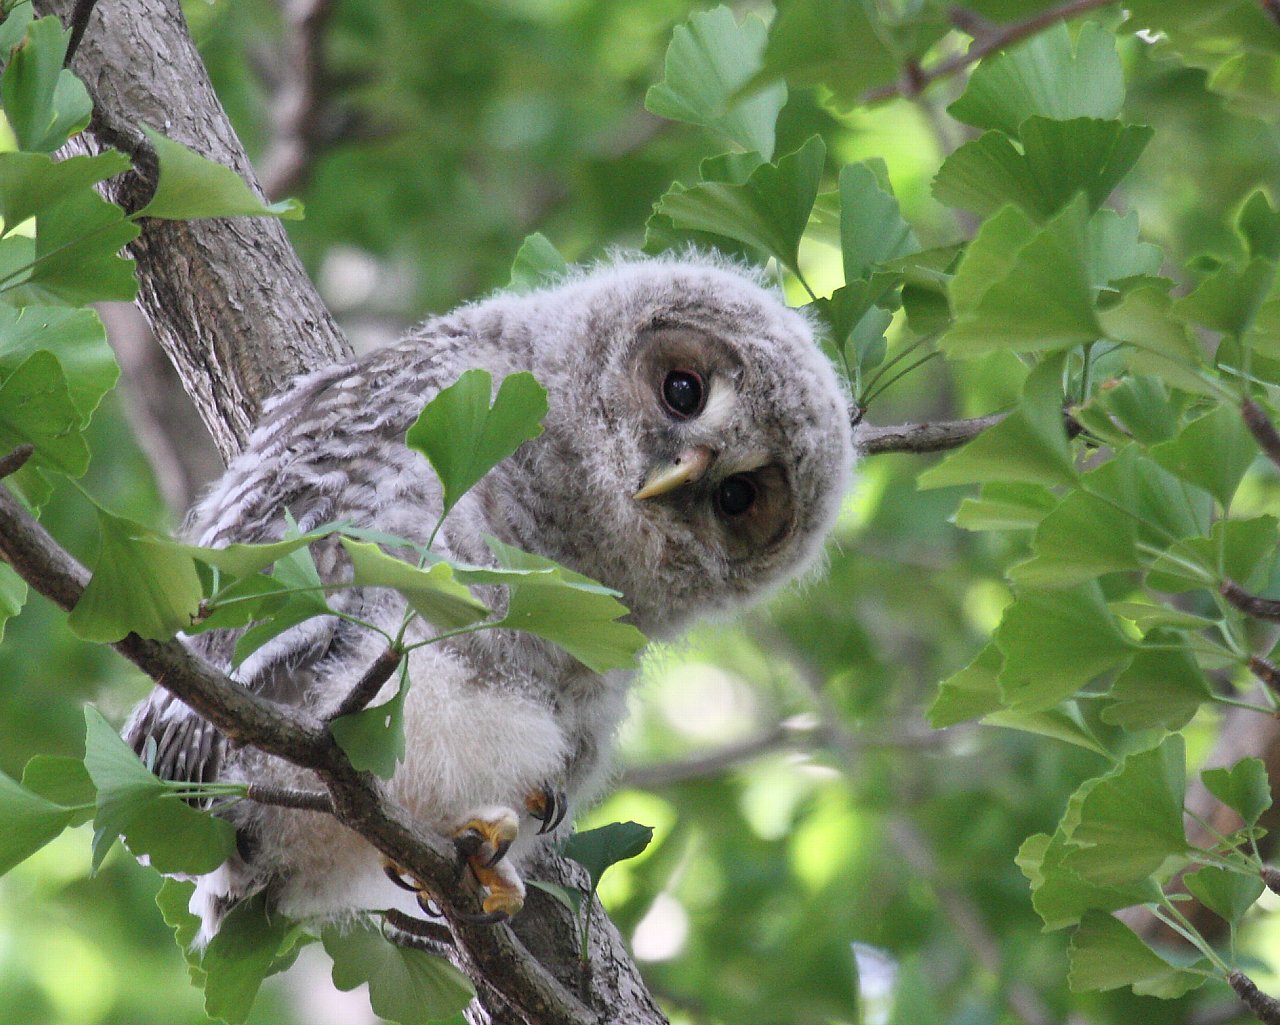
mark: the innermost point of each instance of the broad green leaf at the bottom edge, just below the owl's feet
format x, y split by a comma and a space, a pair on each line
405, 986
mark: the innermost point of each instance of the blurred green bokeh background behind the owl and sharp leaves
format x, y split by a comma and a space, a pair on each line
816, 840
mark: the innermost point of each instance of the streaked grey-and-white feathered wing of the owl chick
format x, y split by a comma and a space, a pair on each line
319, 455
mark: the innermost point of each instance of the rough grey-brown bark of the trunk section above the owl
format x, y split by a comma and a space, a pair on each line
228, 300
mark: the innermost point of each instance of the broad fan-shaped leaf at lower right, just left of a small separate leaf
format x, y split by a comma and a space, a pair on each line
1131, 822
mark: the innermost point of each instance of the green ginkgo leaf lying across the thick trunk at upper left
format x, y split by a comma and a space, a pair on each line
193, 186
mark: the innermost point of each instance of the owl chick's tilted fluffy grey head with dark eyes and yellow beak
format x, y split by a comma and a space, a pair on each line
698, 443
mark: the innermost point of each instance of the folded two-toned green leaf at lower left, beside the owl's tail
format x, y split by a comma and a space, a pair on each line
134, 803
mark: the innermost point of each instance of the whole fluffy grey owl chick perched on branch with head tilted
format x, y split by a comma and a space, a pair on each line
696, 454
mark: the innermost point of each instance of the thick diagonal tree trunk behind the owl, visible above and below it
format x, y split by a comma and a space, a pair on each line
235, 312
